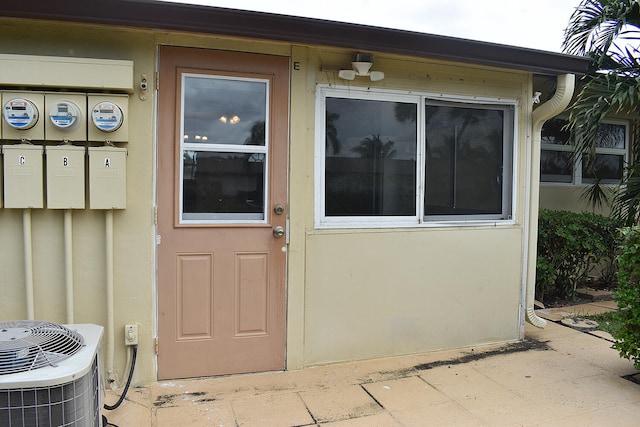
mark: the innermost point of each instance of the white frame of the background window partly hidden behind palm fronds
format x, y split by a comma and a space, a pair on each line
576, 175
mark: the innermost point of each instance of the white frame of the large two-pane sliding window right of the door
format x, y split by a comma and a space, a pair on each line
510, 148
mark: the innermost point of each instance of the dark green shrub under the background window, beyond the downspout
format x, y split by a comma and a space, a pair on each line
570, 247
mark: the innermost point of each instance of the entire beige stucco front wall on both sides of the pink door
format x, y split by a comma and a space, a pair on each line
351, 294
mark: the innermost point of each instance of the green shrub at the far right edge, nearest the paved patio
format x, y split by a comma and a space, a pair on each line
627, 297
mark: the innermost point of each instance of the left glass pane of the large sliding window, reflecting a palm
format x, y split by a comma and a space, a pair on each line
370, 158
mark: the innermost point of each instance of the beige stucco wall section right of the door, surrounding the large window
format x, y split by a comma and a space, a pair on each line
374, 293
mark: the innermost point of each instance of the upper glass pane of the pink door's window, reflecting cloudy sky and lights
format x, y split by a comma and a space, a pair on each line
224, 111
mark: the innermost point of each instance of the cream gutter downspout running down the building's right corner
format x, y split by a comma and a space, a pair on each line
551, 108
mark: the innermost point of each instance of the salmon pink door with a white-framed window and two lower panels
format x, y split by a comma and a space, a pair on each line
222, 162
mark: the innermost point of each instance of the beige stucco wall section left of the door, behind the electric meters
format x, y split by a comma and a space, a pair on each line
134, 261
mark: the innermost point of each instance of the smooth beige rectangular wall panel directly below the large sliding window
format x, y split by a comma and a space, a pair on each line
407, 292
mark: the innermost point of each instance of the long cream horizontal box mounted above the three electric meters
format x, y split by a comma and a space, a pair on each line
66, 72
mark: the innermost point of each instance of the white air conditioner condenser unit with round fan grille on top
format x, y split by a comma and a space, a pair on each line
50, 374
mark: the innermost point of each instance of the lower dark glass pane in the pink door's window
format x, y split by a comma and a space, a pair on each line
223, 186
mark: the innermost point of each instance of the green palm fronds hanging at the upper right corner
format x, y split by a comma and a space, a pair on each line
607, 32
